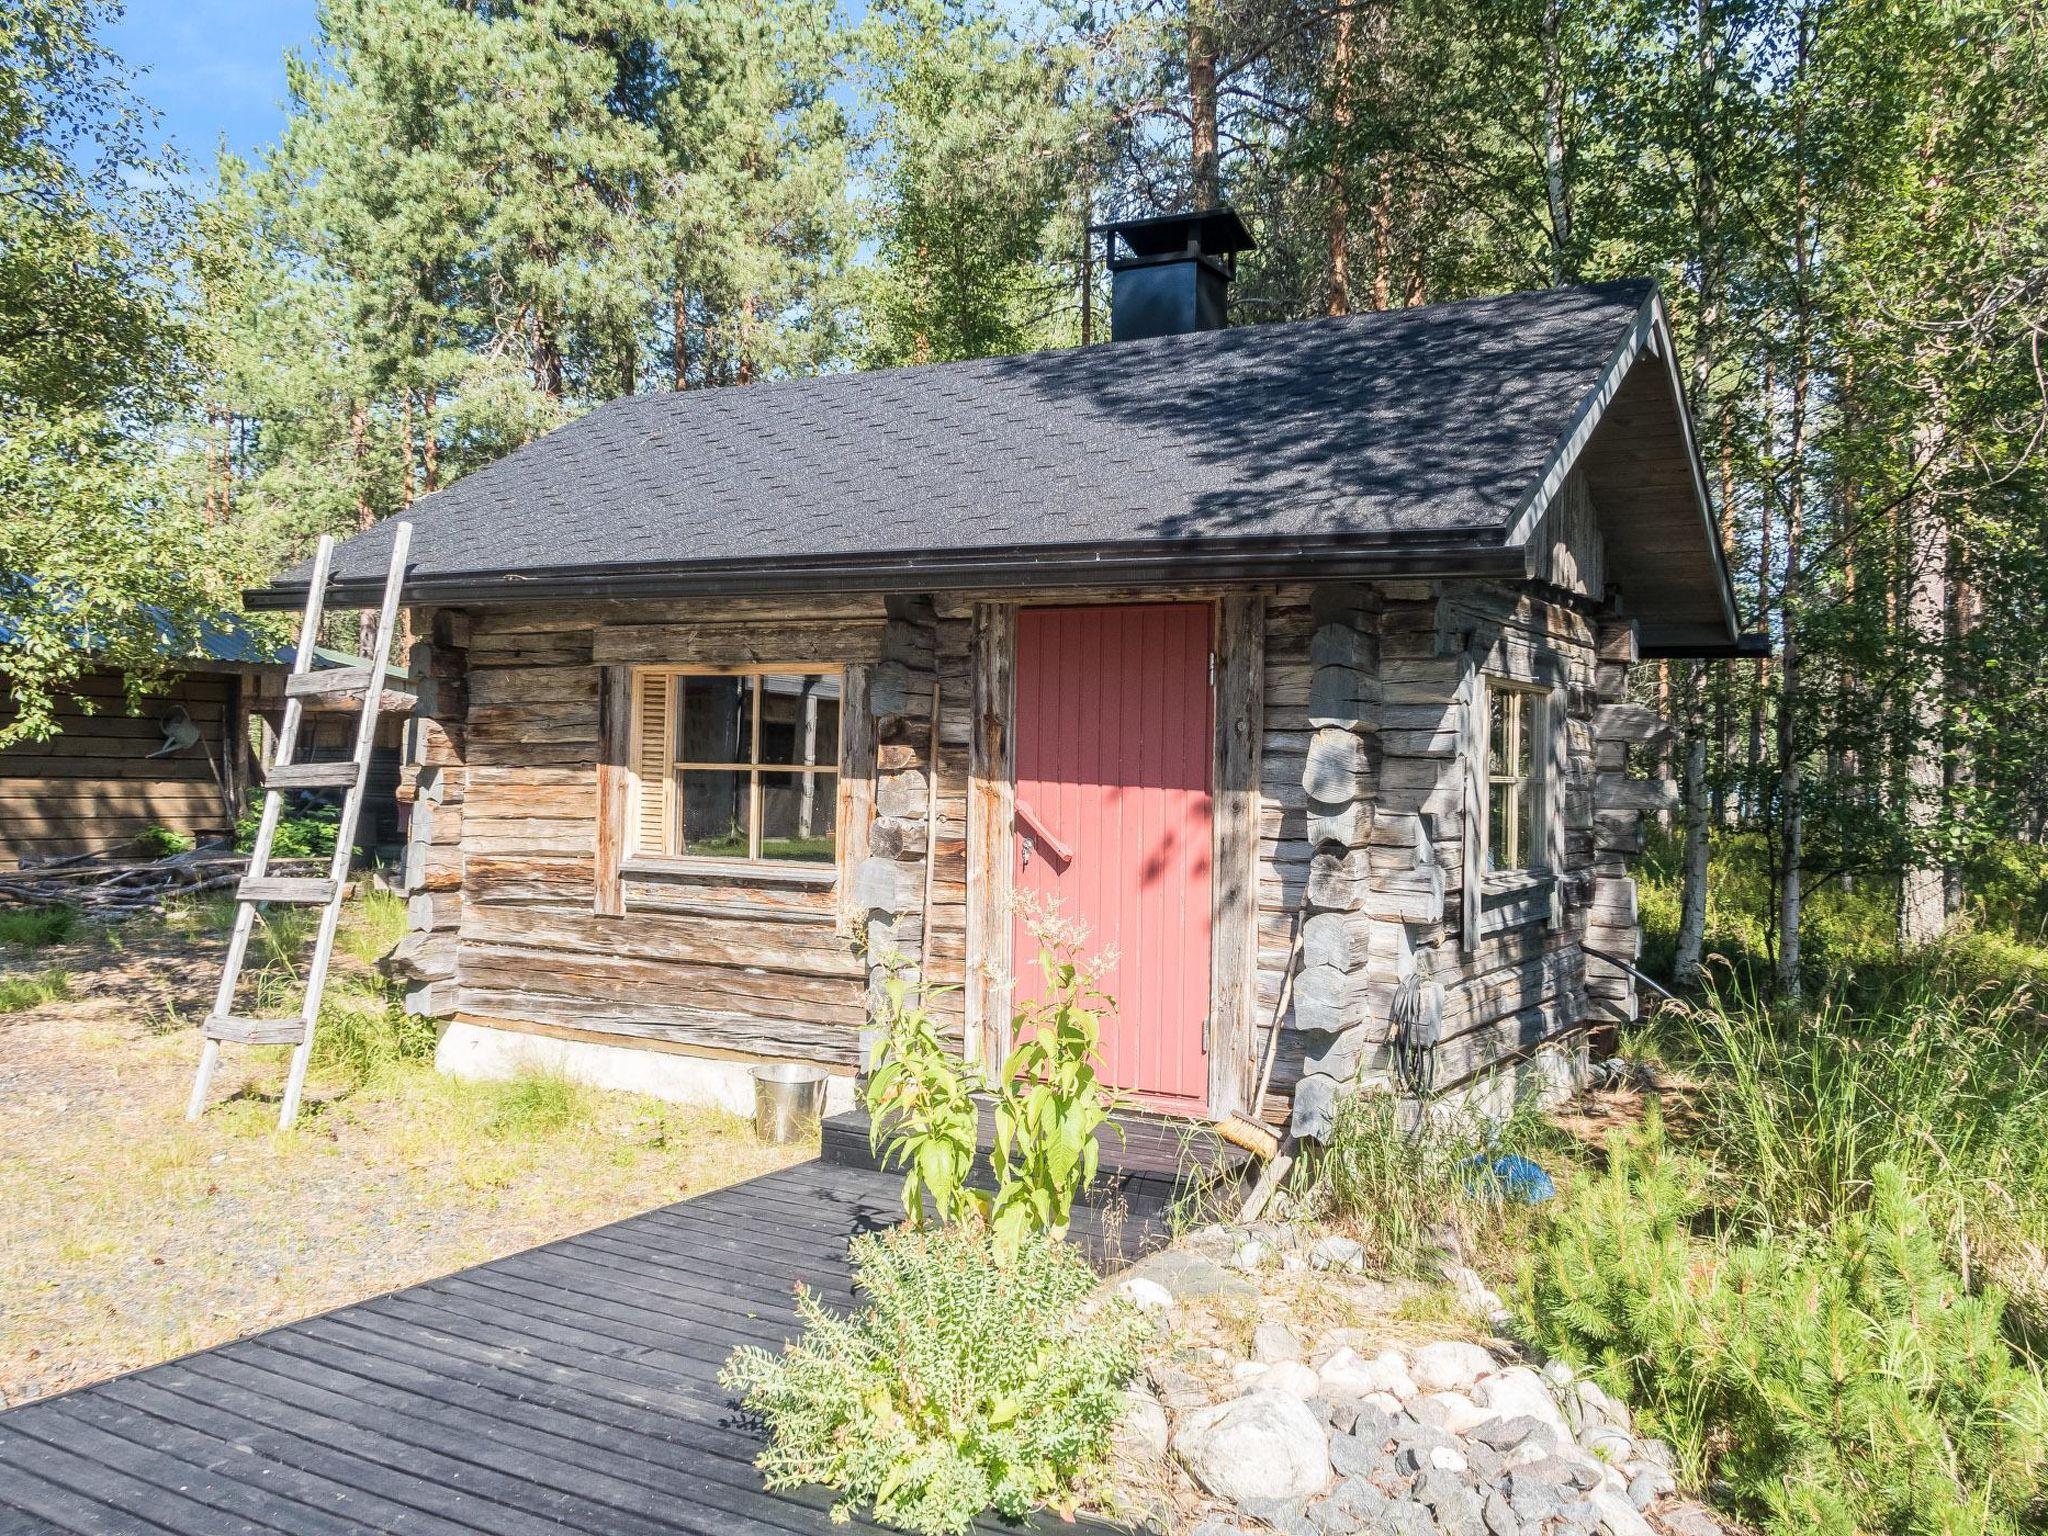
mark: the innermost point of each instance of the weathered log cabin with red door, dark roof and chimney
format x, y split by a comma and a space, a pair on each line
1291, 660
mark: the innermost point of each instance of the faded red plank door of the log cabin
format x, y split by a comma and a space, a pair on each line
1113, 746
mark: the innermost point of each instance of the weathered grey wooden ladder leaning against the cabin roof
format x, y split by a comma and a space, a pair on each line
359, 687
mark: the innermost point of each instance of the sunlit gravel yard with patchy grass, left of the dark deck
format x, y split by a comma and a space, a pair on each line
130, 1236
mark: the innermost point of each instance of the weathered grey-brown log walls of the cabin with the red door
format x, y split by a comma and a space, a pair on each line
1361, 710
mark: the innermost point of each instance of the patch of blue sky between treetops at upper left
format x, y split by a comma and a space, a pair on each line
214, 67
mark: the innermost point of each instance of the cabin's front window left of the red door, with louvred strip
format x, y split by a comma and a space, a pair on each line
738, 765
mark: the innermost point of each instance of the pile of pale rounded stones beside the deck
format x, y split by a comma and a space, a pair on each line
1334, 1437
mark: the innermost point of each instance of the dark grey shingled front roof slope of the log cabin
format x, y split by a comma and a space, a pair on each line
1408, 425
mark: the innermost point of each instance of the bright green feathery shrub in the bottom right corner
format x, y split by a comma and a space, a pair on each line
1838, 1379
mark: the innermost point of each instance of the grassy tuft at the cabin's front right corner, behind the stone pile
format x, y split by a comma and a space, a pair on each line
1402, 1181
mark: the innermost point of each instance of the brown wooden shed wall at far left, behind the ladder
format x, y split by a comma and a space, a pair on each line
95, 787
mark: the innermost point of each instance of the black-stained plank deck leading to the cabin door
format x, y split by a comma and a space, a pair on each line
564, 1390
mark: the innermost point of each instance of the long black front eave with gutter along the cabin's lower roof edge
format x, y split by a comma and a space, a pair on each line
1336, 558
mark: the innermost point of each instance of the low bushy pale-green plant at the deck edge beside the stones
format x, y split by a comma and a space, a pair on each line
966, 1381
